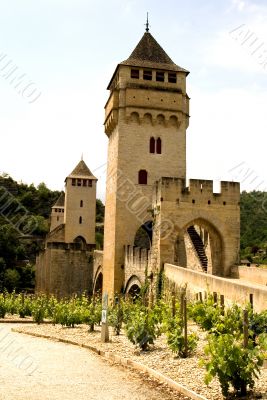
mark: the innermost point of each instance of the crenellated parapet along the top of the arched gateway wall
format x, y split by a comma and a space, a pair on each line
199, 191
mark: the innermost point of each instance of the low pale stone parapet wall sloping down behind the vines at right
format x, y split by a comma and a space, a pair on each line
234, 290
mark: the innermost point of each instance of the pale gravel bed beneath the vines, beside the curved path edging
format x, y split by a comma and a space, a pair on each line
185, 371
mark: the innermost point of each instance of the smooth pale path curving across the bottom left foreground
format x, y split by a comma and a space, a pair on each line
39, 369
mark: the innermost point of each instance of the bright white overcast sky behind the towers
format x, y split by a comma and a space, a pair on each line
69, 49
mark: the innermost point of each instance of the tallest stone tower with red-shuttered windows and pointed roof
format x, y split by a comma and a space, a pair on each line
146, 117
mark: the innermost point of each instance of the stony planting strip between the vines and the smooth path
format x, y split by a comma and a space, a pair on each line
183, 375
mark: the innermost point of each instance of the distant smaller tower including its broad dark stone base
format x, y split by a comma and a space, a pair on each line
65, 265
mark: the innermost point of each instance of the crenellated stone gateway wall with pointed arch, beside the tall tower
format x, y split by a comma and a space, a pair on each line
176, 207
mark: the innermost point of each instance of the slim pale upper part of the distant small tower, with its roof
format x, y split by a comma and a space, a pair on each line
80, 205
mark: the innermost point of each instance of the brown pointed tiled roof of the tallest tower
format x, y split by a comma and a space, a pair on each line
149, 53
